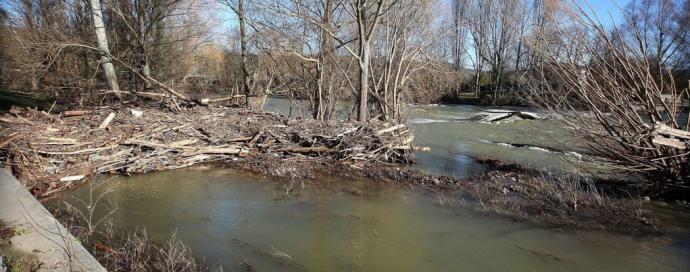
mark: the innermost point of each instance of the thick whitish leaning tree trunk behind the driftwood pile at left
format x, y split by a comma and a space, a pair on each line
102, 39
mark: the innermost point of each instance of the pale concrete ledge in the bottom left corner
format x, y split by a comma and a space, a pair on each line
41, 234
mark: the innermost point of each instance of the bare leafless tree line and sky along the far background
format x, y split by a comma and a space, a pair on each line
370, 55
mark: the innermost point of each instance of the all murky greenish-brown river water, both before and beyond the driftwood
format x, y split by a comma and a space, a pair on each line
227, 216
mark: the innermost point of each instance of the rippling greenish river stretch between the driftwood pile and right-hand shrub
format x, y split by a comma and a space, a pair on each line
455, 142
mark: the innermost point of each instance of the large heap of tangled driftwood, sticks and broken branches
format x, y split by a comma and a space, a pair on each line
51, 152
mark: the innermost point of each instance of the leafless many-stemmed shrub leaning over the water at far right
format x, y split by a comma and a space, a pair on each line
624, 108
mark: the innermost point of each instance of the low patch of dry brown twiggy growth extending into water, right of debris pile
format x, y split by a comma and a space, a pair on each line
563, 200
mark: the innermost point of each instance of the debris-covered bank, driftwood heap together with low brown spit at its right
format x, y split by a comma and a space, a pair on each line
51, 153
